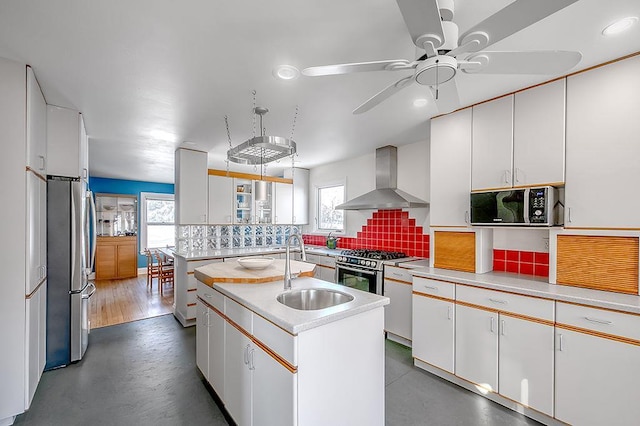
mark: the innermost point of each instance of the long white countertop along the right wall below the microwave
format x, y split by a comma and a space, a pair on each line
535, 287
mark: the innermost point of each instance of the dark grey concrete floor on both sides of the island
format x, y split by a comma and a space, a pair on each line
143, 373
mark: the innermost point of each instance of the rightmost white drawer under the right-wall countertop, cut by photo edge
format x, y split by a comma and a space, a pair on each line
616, 323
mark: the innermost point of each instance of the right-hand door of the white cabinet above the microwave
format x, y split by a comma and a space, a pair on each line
538, 135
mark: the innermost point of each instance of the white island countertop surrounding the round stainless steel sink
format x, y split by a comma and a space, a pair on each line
261, 299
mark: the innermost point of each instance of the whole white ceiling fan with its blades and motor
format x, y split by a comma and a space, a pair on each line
430, 24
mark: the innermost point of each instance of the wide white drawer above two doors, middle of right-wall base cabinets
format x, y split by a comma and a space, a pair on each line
507, 302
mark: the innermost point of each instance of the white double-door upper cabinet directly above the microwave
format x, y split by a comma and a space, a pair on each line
519, 140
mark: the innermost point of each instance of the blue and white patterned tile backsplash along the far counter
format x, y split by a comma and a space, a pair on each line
217, 237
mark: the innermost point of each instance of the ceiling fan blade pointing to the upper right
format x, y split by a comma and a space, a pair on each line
513, 18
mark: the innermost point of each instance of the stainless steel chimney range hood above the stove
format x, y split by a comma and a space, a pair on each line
386, 196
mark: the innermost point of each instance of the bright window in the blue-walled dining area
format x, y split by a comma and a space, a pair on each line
157, 220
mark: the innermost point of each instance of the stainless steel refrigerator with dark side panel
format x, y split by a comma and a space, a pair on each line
70, 257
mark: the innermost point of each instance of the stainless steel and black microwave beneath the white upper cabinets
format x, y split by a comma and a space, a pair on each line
516, 207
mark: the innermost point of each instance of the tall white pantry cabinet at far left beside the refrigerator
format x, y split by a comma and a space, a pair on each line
23, 227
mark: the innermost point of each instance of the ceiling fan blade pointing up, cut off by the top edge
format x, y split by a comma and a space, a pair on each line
423, 21
